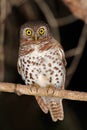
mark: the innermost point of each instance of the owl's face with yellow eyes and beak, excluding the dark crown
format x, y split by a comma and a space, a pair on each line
34, 34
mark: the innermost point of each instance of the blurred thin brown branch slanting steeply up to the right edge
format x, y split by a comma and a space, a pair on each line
81, 44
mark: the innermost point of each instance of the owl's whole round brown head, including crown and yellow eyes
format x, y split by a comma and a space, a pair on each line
35, 32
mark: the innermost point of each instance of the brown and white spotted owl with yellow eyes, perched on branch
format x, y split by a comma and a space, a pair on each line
42, 61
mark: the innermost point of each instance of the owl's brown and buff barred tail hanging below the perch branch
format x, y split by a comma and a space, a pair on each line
56, 110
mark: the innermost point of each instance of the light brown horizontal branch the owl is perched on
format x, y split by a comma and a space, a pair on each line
49, 91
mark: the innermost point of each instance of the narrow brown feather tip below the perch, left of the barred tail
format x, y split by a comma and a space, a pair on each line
41, 103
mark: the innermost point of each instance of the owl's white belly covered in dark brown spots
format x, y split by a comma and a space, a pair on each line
43, 70
